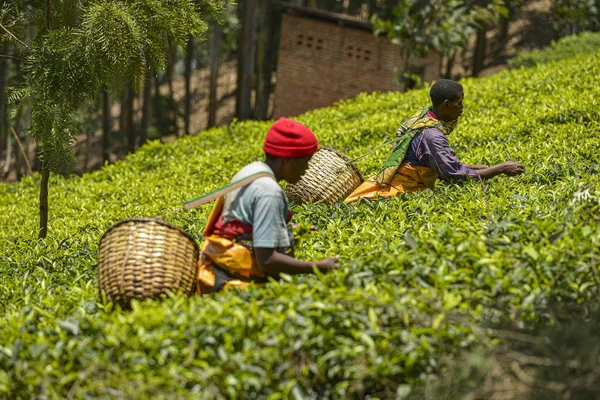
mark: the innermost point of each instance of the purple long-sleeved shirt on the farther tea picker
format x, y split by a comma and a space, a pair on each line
431, 148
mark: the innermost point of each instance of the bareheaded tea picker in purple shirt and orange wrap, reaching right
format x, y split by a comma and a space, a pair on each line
422, 153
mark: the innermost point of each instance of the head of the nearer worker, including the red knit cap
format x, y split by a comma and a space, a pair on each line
289, 146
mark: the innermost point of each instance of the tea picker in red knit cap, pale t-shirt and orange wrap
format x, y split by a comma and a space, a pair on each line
247, 237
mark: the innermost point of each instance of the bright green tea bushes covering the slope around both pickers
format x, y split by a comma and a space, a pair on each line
420, 272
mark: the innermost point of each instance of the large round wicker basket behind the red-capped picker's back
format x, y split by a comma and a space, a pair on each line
144, 258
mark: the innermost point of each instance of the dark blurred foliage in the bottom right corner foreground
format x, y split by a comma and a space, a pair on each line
539, 361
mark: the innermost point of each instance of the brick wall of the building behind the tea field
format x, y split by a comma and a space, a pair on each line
323, 62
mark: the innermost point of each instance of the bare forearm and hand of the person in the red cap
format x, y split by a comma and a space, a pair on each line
273, 263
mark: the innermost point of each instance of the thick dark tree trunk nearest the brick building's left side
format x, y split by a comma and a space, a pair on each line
246, 59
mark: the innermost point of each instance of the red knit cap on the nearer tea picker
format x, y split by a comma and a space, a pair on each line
290, 139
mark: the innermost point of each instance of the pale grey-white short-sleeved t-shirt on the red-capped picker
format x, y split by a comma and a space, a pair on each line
262, 204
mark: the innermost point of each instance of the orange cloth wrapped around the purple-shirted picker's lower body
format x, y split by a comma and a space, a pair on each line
407, 179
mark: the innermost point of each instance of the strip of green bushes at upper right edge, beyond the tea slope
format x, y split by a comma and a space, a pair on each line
561, 49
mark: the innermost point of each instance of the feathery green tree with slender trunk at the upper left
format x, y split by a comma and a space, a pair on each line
80, 47
